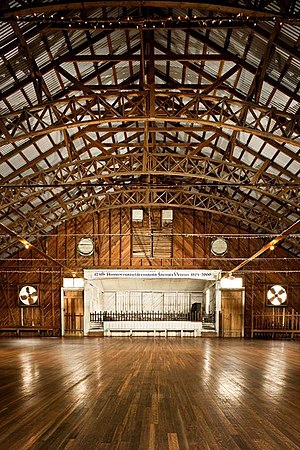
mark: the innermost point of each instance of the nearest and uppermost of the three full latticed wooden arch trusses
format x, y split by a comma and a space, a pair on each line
263, 122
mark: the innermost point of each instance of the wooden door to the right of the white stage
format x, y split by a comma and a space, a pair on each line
232, 314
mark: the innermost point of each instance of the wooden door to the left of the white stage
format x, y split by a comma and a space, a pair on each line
73, 313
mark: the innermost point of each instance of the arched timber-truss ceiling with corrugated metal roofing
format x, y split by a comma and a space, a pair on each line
155, 103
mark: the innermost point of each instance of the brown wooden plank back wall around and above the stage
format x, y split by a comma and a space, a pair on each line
112, 233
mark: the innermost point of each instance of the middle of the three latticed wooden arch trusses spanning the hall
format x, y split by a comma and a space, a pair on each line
194, 169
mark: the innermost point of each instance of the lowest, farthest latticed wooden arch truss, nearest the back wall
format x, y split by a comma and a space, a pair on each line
218, 202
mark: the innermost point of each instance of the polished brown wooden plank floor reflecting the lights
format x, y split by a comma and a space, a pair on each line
144, 393
